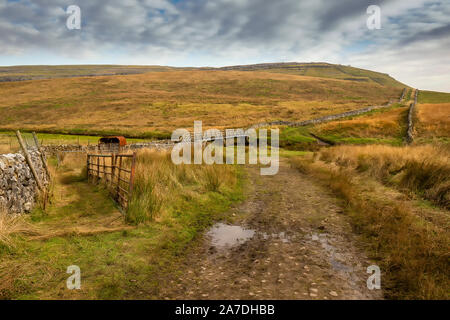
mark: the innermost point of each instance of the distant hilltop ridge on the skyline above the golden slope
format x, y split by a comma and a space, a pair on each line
320, 69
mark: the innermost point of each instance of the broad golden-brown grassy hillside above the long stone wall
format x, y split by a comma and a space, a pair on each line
161, 101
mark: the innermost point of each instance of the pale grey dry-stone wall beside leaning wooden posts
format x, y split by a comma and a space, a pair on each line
18, 188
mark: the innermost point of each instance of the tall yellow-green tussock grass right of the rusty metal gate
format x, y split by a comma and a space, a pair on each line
159, 183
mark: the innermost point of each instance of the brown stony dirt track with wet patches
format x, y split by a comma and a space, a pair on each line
303, 248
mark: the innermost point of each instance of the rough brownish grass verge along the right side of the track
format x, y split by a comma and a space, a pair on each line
411, 252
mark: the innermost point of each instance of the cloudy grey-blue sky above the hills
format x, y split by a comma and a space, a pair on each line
413, 44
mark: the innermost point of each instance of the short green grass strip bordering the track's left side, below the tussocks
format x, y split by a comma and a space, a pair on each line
117, 265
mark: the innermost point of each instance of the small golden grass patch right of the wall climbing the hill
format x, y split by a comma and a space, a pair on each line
433, 120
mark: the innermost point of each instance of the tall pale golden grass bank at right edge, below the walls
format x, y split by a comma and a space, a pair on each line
424, 170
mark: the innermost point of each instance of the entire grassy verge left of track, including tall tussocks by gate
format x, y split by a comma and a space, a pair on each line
133, 262
